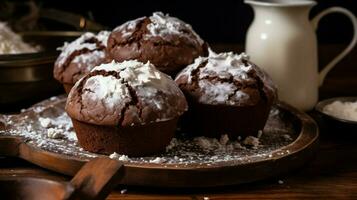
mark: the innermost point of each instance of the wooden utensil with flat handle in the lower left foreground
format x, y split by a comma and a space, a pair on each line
93, 181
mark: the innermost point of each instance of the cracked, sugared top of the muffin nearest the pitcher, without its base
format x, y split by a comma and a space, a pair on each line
226, 79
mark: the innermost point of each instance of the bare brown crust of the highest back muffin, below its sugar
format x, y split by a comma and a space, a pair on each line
169, 55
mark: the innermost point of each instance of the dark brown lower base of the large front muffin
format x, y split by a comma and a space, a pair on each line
132, 140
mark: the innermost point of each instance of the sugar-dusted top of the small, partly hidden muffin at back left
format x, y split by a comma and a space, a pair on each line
80, 56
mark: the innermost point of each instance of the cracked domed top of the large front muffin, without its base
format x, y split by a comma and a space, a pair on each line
125, 94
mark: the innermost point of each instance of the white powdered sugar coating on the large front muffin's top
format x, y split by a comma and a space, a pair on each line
104, 96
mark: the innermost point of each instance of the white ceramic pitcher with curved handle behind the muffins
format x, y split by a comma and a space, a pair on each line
282, 41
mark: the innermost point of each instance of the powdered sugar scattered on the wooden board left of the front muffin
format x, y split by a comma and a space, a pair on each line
45, 126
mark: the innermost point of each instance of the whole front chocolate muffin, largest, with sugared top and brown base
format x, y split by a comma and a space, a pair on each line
129, 108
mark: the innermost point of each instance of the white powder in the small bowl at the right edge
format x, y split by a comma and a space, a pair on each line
342, 110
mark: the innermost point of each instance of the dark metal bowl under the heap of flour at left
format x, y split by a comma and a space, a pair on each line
27, 78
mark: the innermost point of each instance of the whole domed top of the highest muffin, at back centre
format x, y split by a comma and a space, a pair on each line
167, 42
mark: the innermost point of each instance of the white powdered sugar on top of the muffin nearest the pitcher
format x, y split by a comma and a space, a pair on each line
223, 66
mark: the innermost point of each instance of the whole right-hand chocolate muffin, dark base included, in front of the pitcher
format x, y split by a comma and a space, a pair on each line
227, 94
